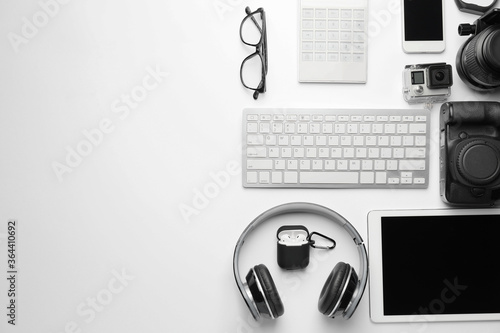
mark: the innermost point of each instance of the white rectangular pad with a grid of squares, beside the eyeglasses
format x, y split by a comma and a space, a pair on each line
332, 41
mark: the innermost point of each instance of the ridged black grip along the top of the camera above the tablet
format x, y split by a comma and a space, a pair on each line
487, 113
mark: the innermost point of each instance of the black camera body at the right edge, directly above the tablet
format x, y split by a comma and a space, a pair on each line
470, 153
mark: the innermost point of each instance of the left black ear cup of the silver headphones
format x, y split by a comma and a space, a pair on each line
264, 291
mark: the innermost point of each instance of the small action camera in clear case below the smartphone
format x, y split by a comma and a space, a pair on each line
427, 83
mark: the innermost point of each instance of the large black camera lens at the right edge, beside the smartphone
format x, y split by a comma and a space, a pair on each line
478, 60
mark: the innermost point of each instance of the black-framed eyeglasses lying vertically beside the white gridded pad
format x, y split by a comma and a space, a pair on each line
253, 69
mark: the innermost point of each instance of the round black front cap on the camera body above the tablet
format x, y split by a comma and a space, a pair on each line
478, 162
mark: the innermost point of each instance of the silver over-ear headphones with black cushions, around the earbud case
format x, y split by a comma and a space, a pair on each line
342, 291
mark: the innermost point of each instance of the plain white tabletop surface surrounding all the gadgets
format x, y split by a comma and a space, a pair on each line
119, 211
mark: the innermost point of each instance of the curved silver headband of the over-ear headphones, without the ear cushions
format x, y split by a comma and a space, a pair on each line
303, 207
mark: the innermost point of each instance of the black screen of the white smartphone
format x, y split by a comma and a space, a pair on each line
423, 20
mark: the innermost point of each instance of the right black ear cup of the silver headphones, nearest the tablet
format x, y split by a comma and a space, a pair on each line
338, 290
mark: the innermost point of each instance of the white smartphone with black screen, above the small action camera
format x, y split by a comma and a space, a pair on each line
423, 26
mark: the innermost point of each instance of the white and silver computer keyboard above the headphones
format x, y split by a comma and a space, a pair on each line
336, 148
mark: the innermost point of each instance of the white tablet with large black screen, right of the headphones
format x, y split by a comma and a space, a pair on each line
434, 265
